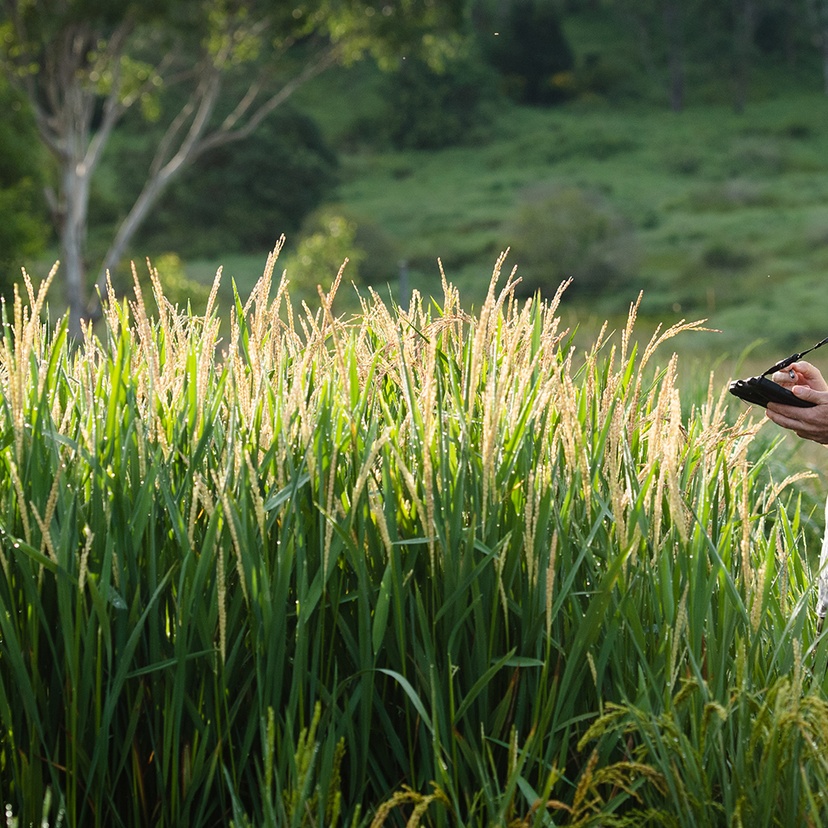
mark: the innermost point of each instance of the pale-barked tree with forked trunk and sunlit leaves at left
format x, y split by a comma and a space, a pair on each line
82, 64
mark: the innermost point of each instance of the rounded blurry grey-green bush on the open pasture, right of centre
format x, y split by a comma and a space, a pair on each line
566, 232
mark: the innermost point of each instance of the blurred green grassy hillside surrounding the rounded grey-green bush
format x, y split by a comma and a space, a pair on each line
729, 209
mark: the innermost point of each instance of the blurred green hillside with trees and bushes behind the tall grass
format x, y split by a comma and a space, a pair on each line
674, 148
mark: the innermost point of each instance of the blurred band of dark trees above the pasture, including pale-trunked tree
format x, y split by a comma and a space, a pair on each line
122, 117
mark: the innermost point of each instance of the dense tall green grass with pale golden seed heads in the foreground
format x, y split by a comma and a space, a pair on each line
415, 566
